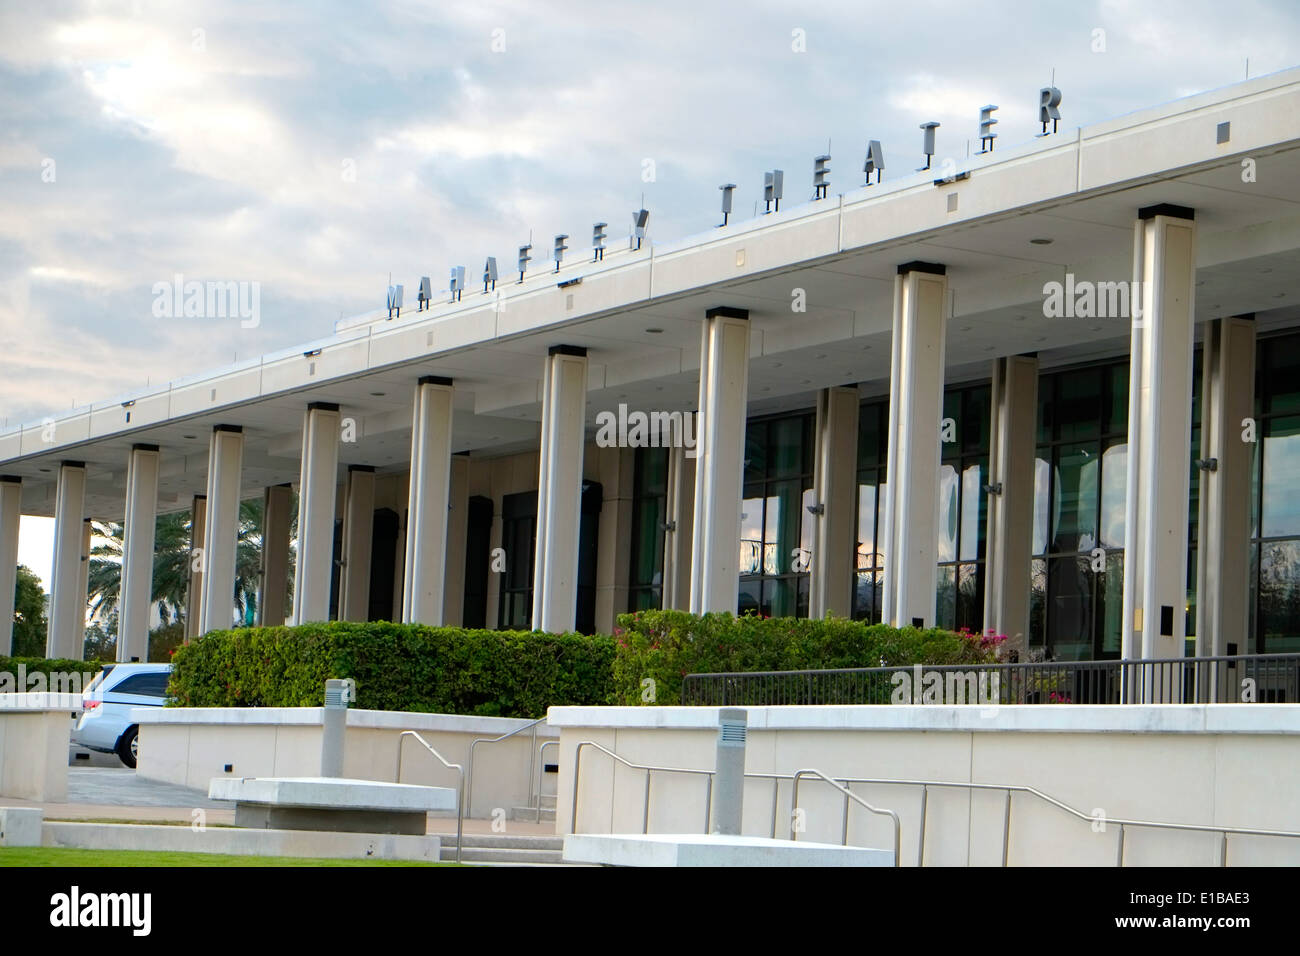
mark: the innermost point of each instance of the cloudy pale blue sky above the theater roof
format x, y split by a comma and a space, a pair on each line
315, 149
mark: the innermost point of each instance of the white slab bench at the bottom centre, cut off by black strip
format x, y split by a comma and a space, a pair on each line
714, 850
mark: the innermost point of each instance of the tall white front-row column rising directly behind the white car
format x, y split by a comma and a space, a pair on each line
138, 527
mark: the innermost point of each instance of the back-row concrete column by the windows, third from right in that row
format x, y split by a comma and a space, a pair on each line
837, 491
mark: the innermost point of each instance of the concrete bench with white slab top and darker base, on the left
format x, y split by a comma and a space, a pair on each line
331, 803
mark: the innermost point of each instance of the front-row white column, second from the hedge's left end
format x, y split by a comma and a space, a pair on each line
317, 504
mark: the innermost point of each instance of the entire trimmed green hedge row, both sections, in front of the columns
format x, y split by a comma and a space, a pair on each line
519, 674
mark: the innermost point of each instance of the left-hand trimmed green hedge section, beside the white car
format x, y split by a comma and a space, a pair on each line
445, 671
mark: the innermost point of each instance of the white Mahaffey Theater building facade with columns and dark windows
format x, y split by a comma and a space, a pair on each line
1055, 395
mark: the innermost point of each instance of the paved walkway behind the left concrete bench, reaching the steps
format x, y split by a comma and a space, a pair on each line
119, 794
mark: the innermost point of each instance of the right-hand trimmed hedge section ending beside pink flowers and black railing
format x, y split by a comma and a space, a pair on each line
669, 646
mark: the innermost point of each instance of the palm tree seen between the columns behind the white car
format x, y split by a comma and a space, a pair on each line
172, 563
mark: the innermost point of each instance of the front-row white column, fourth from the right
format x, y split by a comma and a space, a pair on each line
560, 486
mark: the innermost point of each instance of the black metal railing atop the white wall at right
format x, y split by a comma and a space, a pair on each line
1243, 678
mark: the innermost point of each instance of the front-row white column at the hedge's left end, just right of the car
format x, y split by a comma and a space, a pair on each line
222, 529
